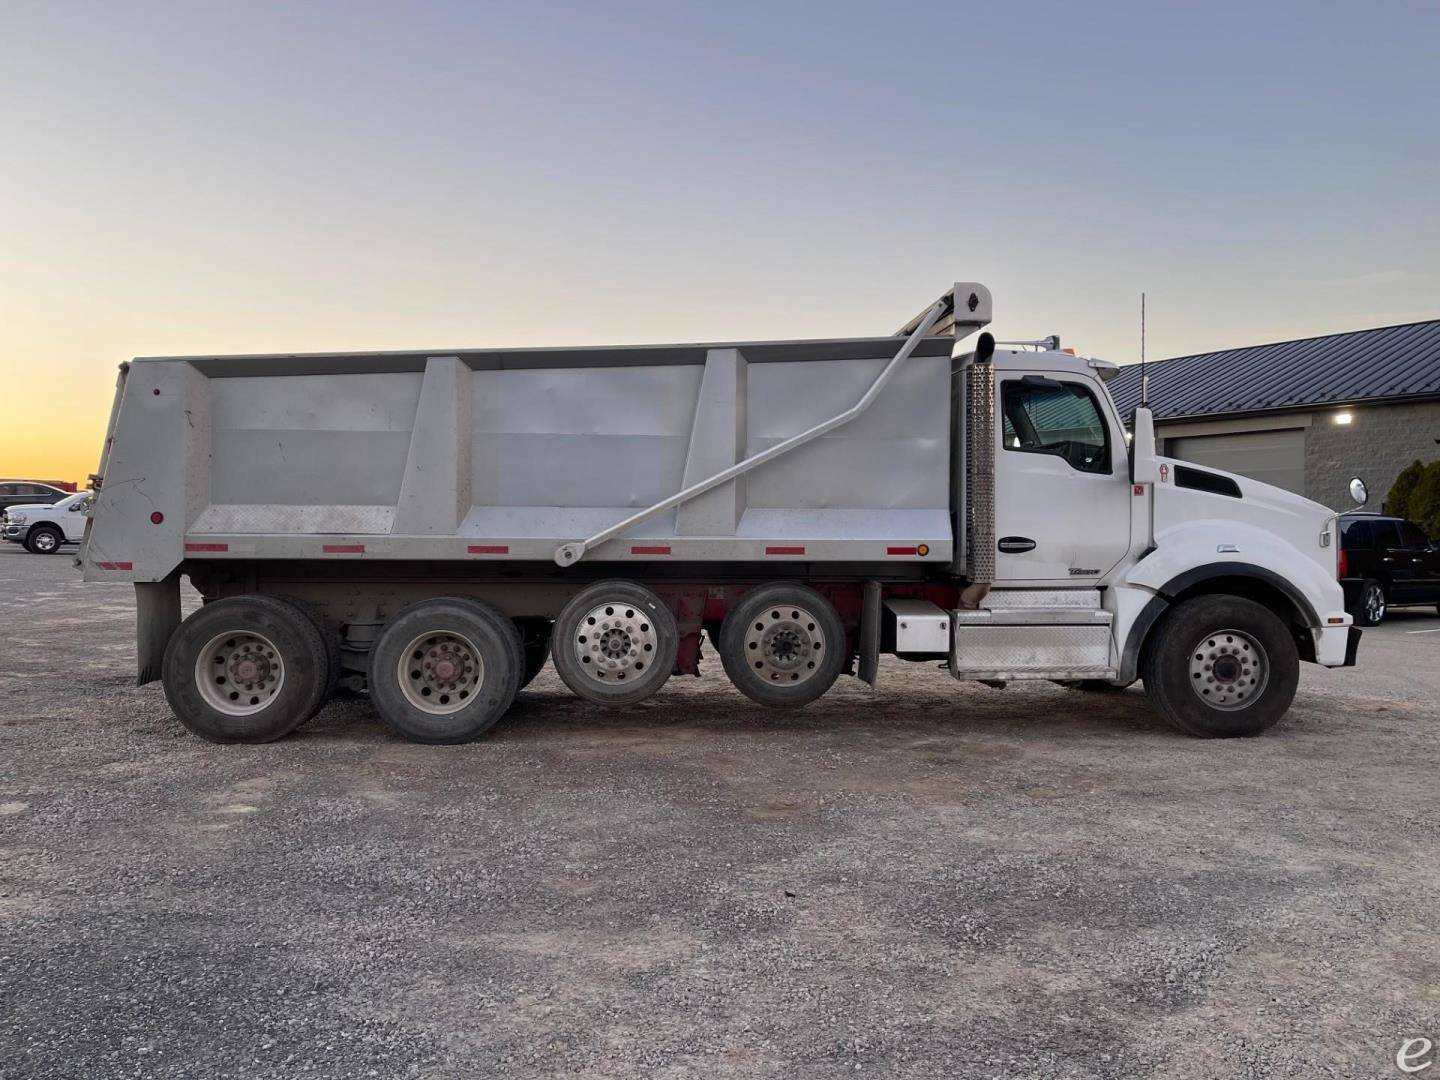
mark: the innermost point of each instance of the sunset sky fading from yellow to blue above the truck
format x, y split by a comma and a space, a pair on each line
246, 178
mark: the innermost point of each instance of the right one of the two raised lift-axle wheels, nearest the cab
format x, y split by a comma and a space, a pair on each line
783, 646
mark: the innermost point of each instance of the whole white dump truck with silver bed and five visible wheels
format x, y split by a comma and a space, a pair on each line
433, 526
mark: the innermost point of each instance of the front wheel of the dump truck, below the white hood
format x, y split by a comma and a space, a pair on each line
1220, 667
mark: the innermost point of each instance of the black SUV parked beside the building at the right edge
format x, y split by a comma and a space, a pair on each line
1386, 561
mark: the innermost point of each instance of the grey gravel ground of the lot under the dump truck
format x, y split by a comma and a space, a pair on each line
925, 881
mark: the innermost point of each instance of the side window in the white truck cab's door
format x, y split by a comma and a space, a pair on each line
1062, 420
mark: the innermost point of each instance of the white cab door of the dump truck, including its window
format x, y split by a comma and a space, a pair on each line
1062, 482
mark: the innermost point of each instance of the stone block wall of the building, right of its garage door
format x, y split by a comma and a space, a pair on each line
1376, 446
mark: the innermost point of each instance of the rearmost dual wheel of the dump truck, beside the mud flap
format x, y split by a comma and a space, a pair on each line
246, 670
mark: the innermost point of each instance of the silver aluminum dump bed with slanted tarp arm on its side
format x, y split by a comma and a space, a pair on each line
518, 454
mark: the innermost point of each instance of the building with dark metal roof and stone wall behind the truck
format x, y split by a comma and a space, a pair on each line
1305, 415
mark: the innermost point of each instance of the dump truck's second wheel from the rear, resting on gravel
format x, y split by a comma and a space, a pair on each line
446, 670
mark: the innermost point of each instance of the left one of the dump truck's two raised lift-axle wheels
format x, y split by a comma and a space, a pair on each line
616, 643
